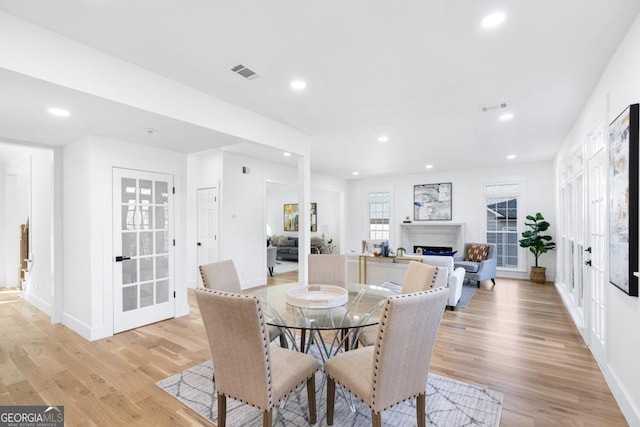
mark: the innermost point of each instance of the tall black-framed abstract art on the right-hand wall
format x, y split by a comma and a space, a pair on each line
623, 200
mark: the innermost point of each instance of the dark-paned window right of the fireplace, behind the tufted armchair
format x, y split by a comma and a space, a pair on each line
502, 222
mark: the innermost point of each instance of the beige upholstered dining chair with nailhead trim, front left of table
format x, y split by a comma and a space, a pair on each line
247, 368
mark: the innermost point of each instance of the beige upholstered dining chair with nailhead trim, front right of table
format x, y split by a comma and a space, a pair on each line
397, 367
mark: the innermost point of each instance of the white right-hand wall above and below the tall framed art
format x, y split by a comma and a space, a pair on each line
618, 88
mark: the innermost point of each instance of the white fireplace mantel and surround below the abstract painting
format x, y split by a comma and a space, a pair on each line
432, 233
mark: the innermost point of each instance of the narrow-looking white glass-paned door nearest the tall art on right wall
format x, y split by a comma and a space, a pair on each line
596, 274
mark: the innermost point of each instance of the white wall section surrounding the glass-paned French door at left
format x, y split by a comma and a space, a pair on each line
88, 254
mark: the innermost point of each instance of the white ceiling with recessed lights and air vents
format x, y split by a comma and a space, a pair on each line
415, 70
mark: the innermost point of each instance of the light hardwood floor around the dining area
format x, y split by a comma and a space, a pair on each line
515, 338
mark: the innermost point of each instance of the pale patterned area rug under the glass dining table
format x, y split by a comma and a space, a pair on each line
450, 403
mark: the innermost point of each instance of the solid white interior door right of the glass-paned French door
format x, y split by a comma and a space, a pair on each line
207, 239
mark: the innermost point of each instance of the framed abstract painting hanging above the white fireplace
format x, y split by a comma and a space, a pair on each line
432, 202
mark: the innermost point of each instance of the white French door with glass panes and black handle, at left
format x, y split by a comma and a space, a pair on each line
143, 248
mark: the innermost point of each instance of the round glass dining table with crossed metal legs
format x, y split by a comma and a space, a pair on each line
331, 327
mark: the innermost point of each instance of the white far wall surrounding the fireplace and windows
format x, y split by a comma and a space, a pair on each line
468, 202
